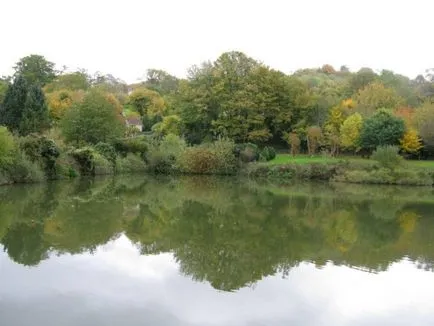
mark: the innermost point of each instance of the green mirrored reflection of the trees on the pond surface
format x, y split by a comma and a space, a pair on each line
222, 231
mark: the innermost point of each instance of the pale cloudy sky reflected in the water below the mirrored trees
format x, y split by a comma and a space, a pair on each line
116, 285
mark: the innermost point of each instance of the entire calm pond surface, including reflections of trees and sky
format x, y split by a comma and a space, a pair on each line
211, 252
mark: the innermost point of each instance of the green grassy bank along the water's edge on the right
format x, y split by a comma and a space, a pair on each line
286, 168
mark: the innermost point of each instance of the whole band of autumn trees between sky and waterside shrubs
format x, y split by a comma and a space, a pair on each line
235, 97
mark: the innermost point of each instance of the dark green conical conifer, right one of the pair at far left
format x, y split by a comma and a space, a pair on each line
35, 117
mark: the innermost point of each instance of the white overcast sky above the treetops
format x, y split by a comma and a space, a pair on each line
127, 37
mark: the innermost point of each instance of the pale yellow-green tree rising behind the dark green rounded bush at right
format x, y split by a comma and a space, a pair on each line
375, 96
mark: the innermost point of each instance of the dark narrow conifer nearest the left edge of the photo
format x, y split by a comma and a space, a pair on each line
14, 104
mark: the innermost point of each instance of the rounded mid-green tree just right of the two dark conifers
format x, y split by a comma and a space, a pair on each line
93, 120
